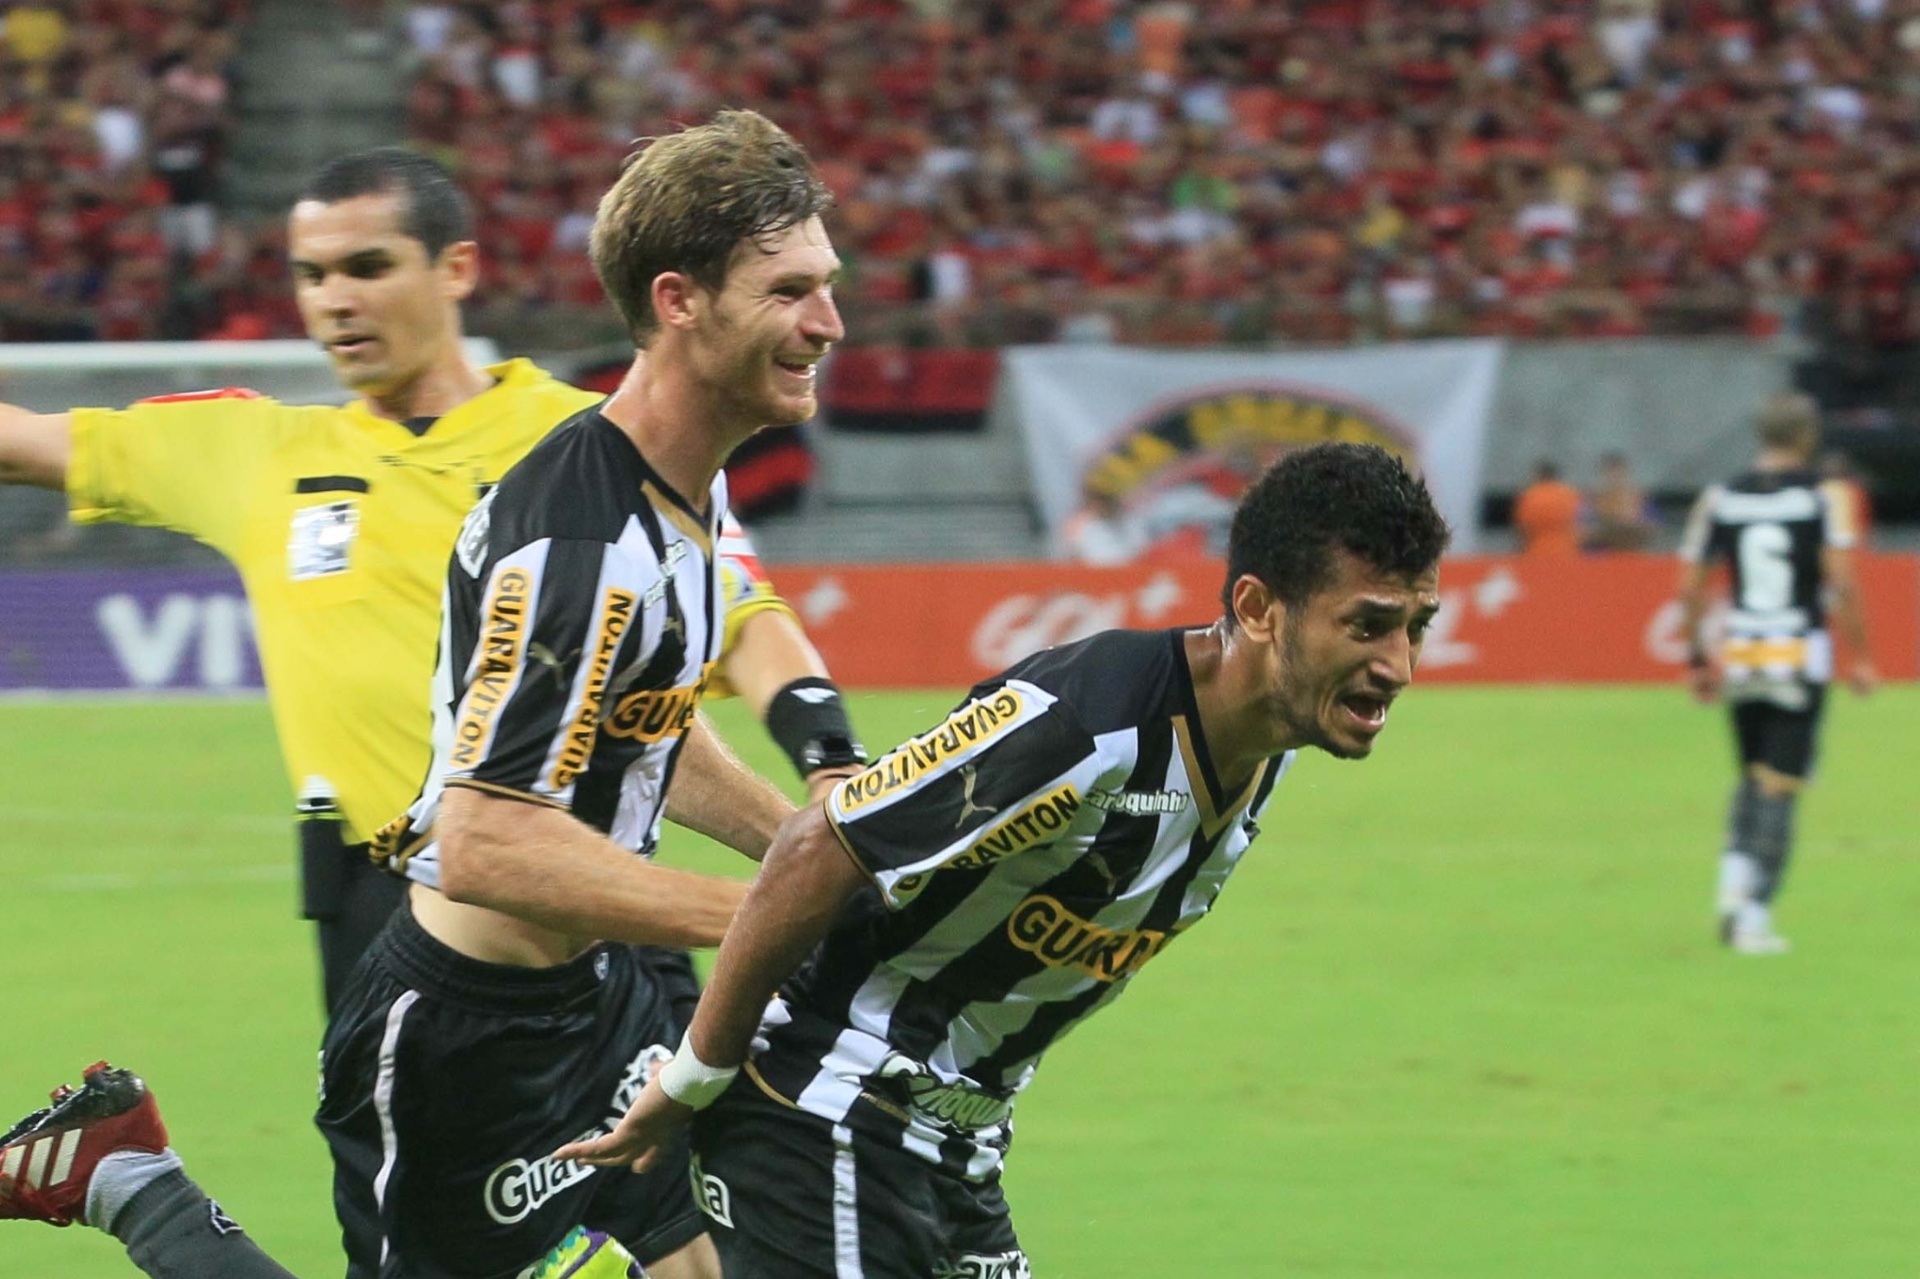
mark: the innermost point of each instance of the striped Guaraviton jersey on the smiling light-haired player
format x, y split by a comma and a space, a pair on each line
579, 629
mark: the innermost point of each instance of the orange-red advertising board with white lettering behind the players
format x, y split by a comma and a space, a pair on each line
1502, 621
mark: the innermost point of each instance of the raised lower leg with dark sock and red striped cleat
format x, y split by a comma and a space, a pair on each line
99, 1155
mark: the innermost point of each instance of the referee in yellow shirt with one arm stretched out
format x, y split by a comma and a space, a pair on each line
341, 519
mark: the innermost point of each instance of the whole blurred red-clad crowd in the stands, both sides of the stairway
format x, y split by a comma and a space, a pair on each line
1086, 170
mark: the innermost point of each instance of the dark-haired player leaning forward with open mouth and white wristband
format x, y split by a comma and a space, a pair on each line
971, 898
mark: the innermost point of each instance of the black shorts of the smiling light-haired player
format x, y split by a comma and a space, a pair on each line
448, 1082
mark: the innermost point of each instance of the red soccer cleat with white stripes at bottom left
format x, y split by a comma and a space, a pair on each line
49, 1159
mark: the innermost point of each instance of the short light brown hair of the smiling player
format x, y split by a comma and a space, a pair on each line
690, 201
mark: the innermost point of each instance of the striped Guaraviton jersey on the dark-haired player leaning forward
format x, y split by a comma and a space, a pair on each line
1028, 857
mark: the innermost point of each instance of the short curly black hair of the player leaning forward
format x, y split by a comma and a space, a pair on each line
1332, 496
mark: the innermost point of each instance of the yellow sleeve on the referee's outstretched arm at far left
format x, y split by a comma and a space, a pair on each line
176, 466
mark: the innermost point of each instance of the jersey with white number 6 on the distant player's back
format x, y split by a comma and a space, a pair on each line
1771, 531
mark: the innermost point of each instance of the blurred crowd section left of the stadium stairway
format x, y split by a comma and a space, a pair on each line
112, 124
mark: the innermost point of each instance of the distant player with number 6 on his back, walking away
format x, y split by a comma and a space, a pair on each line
1787, 539
